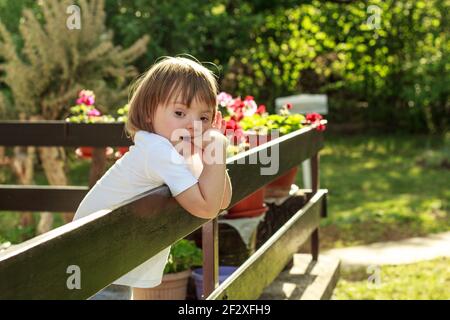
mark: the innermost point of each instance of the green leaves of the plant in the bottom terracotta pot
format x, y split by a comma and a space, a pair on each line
184, 254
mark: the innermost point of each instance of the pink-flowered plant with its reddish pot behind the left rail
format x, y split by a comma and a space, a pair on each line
86, 112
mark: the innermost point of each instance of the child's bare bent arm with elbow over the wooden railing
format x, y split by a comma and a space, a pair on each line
205, 198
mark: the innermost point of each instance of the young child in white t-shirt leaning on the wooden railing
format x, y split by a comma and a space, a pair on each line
172, 111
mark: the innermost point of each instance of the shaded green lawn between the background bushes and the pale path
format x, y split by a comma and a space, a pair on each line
379, 192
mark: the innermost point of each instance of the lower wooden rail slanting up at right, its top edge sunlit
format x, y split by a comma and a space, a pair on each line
249, 281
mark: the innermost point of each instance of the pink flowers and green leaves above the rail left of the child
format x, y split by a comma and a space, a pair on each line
85, 111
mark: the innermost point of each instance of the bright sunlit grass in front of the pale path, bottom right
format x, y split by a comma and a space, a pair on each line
424, 280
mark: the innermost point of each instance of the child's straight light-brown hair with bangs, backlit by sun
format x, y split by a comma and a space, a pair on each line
183, 77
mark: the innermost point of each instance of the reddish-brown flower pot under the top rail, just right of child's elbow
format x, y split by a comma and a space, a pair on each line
251, 206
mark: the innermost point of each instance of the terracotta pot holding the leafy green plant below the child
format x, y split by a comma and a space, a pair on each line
172, 287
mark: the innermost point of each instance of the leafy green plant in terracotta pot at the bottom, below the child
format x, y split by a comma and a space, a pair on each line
184, 255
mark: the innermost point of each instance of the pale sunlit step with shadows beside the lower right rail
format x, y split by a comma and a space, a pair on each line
306, 280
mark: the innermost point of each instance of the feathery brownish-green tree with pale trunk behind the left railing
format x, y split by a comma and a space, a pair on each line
55, 62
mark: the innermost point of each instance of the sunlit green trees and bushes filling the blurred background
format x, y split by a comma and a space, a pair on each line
395, 75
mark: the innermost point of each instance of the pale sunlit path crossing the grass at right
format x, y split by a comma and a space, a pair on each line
394, 252
